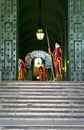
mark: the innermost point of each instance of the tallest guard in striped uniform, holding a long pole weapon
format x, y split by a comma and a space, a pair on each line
57, 60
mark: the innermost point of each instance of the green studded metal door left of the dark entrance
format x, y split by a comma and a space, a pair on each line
8, 39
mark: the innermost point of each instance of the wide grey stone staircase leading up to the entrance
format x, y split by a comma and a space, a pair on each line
41, 105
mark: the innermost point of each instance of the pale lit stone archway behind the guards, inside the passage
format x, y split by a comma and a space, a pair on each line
38, 54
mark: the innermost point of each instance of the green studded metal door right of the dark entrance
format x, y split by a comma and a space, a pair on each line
76, 40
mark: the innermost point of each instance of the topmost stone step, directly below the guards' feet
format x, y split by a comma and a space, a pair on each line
39, 84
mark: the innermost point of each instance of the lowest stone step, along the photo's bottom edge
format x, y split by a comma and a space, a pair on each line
45, 127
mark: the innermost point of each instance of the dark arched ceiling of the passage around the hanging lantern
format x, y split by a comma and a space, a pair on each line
54, 18
